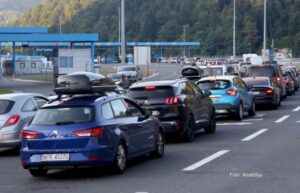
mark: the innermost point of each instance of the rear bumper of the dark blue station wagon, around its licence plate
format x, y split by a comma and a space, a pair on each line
78, 158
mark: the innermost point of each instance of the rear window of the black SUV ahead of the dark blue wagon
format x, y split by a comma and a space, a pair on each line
143, 94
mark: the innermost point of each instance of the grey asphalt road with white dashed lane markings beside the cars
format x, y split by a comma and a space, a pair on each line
259, 154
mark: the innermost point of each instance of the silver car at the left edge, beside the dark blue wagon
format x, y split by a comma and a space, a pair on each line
16, 111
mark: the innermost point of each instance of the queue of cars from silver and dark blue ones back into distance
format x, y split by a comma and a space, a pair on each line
90, 124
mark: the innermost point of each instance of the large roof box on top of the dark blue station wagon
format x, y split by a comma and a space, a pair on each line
84, 83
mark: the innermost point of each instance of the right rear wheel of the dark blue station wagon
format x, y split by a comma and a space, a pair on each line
120, 160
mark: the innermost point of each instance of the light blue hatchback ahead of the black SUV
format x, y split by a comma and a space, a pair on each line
230, 95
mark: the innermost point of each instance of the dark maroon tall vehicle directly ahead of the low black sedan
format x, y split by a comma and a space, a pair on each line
271, 70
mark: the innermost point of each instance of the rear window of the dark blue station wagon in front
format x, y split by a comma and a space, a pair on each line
63, 116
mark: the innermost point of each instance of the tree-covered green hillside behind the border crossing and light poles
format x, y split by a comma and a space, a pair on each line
209, 21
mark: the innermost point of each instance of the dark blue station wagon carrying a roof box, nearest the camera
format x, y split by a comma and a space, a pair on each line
87, 130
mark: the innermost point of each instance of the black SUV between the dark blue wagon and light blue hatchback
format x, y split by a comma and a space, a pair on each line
180, 105
